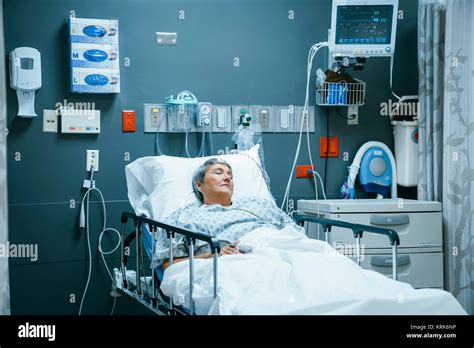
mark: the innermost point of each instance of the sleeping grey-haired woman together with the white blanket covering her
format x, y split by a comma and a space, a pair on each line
285, 273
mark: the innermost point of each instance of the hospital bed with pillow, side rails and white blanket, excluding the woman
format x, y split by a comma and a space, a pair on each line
157, 186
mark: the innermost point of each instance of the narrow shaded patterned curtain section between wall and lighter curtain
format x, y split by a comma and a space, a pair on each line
431, 18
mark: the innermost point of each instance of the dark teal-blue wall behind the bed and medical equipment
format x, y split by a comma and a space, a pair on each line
273, 52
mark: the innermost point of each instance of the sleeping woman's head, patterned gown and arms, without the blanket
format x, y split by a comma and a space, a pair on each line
220, 216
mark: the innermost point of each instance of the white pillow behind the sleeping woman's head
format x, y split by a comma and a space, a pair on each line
159, 185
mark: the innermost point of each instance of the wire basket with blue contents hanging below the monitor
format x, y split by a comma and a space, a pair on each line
341, 93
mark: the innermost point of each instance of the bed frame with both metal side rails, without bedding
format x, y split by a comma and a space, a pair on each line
145, 288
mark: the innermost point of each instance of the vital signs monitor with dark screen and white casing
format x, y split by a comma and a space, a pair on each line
365, 28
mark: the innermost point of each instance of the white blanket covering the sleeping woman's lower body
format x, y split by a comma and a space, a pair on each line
289, 273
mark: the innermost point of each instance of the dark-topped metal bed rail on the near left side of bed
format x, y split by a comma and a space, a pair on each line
170, 231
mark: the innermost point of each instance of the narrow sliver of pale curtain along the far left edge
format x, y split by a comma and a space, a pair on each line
4, 283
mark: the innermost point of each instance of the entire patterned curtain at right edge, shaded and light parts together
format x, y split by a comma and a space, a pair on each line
446, 151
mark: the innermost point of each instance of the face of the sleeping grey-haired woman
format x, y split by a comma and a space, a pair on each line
218, 184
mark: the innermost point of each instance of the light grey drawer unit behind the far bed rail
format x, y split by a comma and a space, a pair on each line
418, 224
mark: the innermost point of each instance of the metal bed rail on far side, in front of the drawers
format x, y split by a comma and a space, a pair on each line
357, 230
